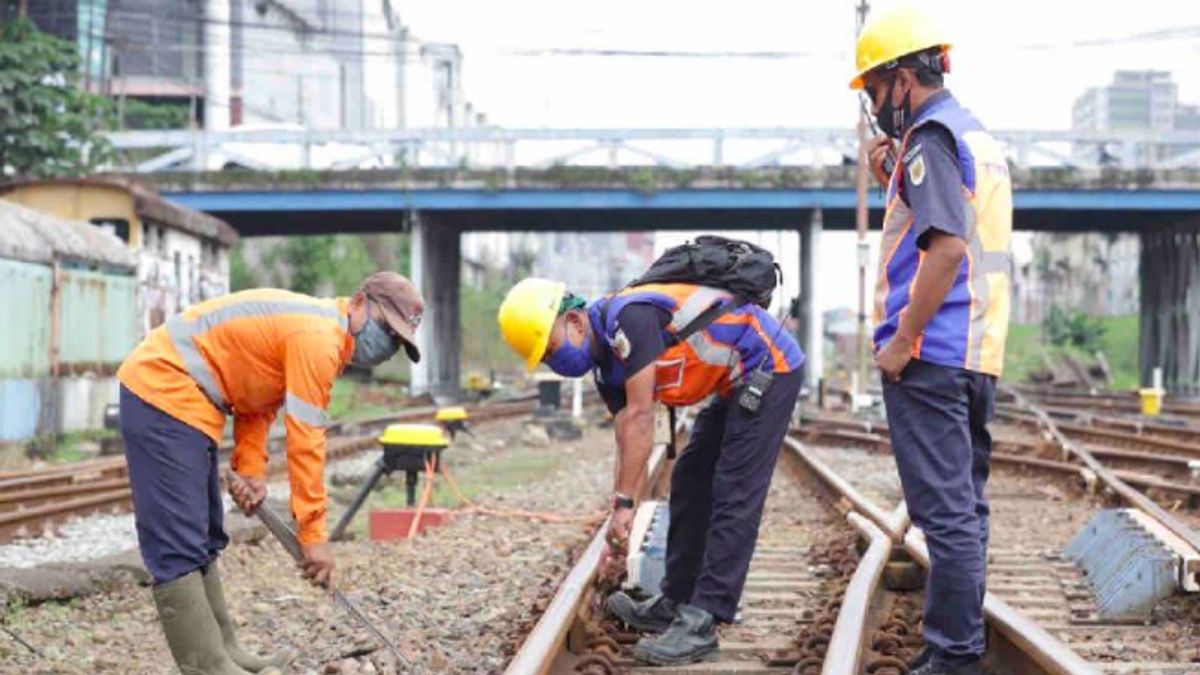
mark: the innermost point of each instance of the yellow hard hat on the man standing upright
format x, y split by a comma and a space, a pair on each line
893, 34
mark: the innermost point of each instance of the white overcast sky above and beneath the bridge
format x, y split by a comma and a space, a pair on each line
1018, 64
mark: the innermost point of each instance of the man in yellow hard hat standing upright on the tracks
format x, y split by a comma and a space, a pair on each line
941, 315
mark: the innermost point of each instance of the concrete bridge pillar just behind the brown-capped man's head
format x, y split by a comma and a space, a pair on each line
436, 270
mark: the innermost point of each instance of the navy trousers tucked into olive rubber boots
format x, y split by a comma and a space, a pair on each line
177, 495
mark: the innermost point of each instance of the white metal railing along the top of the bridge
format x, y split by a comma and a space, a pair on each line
280, 150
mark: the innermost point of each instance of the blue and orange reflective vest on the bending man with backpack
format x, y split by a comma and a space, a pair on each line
710, 362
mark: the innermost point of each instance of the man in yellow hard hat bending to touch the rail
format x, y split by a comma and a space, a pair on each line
719, 483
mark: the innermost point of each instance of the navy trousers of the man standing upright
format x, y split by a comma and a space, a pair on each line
939, 423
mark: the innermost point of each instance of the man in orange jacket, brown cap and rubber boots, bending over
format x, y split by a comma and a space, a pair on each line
245, 355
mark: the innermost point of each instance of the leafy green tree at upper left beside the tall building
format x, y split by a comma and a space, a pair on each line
49, 127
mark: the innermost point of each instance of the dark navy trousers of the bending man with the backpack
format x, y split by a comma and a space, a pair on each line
718, 489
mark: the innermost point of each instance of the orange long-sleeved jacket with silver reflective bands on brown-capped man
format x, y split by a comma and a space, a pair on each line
248, 355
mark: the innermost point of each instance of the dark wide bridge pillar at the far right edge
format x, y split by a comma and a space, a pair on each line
1171, 307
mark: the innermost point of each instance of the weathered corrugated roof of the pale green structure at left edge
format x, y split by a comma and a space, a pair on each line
28, 235
